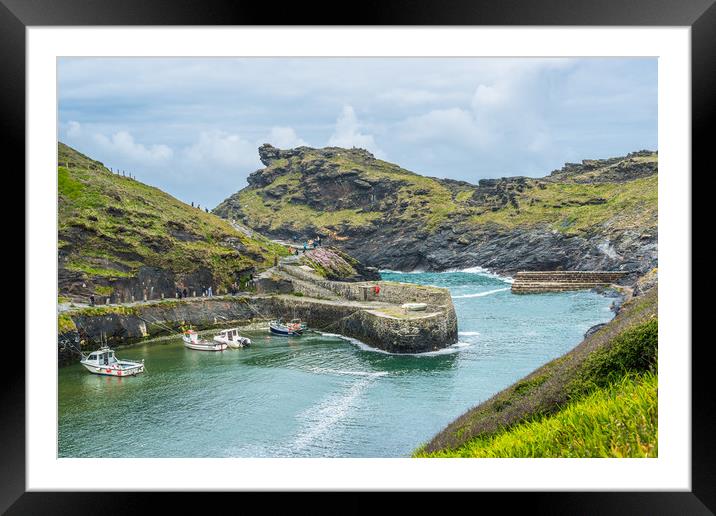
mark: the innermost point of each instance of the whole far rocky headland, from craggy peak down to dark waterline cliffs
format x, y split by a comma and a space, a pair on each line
596, 215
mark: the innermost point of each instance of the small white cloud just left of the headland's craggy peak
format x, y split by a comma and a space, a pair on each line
222, 148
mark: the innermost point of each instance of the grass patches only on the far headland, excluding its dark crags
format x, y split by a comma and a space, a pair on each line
563, 204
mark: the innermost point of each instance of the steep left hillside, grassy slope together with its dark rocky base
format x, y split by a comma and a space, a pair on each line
121, 239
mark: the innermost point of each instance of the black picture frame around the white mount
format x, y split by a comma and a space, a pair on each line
699, 15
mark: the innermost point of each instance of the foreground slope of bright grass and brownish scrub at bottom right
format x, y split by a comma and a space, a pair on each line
596, 379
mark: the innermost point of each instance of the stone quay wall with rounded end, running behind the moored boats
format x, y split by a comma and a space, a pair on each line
124, 325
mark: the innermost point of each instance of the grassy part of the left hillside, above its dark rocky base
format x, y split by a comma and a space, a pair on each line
111, 225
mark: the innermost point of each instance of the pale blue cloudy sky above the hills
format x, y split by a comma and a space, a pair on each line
192, 127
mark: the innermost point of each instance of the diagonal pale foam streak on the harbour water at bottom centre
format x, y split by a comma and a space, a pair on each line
322, 418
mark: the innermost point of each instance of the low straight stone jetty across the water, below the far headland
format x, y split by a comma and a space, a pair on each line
532, 282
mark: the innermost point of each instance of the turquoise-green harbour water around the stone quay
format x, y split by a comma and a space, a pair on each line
320, 396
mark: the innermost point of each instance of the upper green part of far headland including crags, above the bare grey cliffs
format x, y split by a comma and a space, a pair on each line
569, 201
